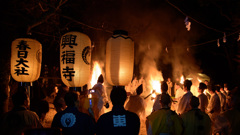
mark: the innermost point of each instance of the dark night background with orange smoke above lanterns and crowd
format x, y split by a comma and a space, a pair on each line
156, 26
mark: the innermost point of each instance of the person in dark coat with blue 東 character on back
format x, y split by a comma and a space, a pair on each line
118, 121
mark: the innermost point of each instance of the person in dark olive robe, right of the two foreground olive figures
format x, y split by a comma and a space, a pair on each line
196, 122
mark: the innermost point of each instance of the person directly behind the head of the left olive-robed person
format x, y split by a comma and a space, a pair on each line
156, 104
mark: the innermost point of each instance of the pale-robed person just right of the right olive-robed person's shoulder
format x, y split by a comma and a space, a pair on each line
214, 106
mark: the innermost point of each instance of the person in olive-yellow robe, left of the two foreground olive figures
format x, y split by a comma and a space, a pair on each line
164, 121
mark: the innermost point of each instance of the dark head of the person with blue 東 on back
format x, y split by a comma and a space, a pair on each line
118, 96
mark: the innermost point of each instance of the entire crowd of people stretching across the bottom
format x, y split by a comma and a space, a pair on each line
216, 110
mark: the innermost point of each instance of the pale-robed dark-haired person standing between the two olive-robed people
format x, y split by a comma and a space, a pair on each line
184, 103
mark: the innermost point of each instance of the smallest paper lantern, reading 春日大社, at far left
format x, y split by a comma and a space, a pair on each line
26, 58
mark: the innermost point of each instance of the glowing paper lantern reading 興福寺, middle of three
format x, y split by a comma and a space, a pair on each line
75, 59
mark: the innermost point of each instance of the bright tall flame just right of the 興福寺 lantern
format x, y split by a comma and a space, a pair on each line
96, 72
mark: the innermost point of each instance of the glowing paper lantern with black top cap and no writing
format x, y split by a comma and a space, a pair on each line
119, 59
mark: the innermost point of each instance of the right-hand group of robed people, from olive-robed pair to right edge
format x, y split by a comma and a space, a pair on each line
216, 110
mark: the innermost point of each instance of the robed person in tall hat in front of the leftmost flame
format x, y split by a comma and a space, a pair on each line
101, 95
